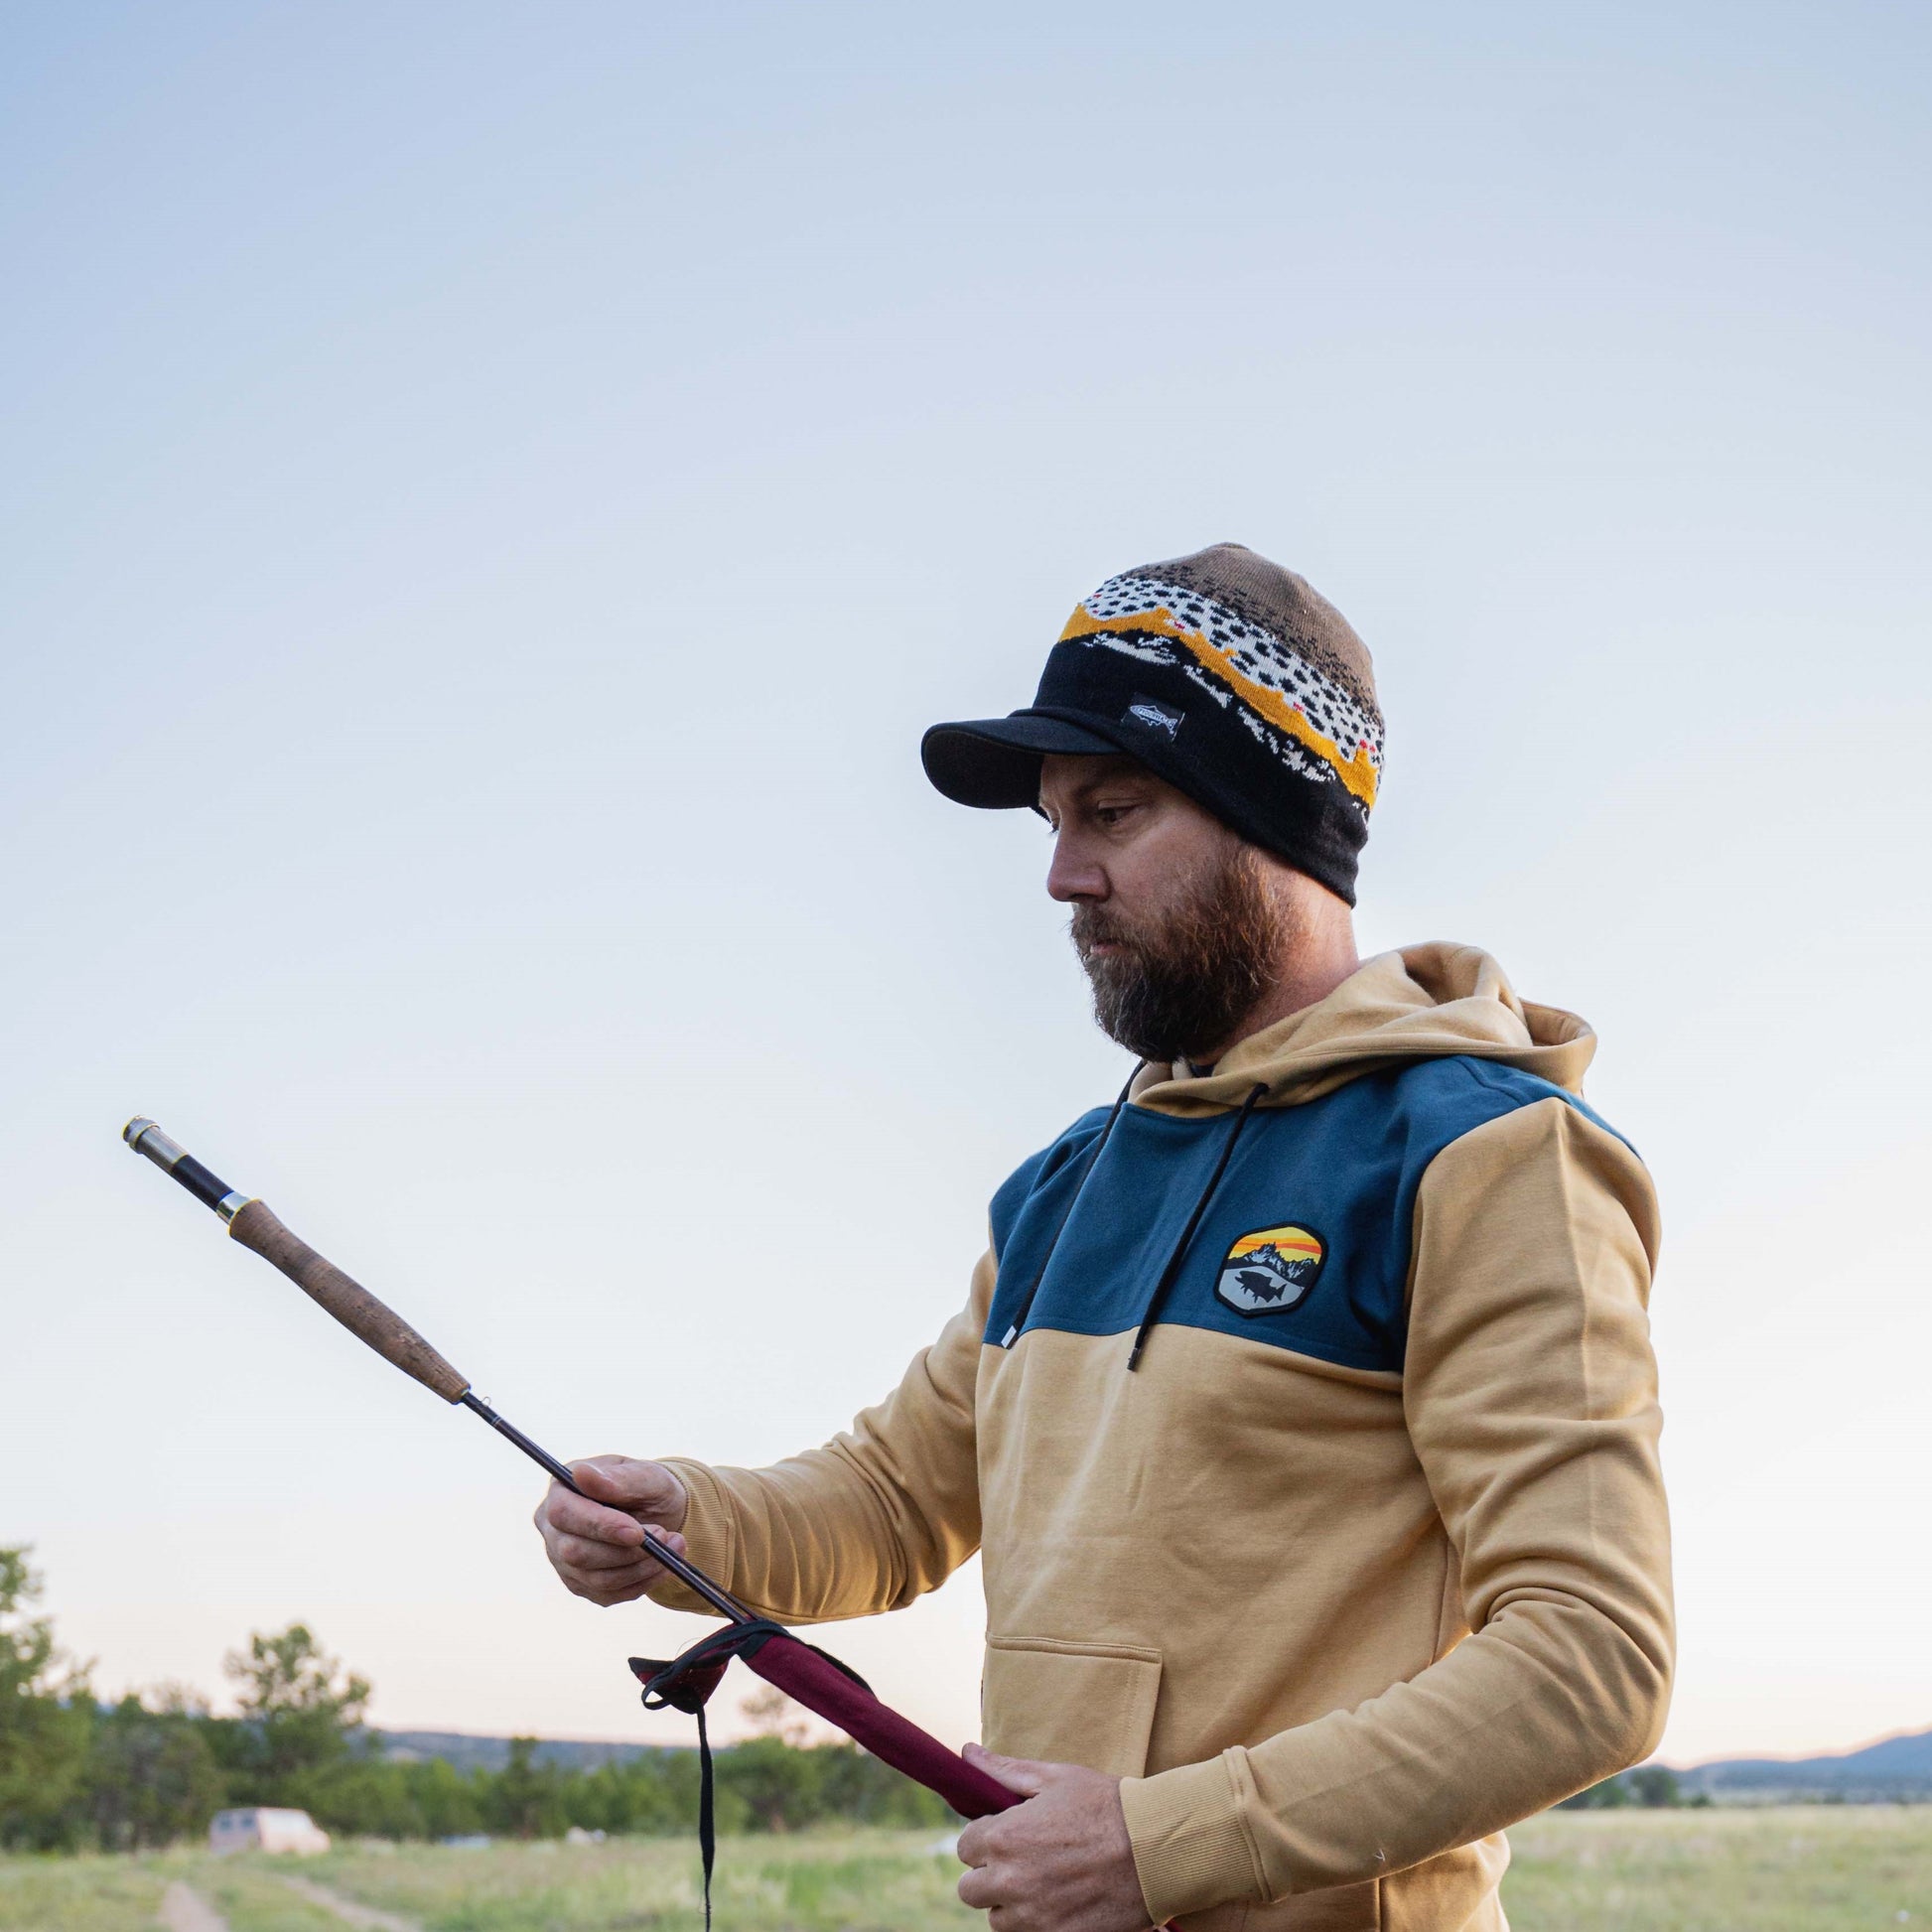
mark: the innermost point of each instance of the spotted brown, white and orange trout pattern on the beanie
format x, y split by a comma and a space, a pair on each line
1295, 696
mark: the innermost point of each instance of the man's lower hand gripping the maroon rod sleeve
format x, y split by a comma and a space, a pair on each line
1058, 1863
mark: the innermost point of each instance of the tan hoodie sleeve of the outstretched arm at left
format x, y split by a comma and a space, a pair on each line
874, 1520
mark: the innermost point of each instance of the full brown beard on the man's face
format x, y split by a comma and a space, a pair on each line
1183, 980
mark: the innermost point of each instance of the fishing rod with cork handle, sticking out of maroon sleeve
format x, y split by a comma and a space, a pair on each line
256, 1226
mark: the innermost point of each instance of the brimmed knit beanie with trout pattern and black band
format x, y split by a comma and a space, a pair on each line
1226, 675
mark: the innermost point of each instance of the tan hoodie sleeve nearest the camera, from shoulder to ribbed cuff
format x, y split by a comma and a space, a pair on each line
1531, 1400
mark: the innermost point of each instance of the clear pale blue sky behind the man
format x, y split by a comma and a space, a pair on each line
494, 496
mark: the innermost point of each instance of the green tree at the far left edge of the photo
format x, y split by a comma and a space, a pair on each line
45, 1719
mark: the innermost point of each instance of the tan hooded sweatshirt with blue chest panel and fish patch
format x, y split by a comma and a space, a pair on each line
1307, 1419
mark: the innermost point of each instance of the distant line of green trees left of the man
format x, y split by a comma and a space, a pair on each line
78, 1773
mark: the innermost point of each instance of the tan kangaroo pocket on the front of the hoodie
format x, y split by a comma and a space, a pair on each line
1071, 1703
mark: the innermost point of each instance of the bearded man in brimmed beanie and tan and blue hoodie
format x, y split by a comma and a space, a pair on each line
1303, 1406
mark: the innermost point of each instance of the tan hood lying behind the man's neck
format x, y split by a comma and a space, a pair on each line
1419, 1004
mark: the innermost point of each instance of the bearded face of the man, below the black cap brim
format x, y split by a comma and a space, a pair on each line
1174, 923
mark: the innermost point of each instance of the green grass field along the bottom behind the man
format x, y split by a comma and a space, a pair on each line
1815, 1869
